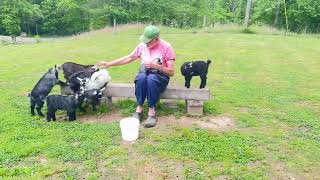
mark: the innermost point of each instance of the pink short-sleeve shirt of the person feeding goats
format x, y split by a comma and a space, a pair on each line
163, 50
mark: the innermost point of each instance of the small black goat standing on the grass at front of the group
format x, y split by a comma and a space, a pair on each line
60, 102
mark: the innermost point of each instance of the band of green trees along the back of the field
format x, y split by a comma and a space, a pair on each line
65, 17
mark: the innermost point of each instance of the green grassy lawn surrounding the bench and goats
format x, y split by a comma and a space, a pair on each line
268, 84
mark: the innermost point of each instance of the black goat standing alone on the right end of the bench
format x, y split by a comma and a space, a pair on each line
196, 68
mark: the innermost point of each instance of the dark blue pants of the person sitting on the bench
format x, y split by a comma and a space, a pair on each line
150, 86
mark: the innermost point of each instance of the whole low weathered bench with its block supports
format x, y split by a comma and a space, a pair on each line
194, 98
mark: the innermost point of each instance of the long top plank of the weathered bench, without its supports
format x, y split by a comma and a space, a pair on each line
182, 93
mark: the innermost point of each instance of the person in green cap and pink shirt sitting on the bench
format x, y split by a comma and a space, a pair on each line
157, 65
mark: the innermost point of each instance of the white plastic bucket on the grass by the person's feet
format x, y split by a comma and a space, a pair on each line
129, 128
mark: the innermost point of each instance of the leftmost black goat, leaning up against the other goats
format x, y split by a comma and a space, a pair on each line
42, 89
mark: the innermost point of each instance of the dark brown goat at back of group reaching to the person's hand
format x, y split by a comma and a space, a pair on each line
70, 68
